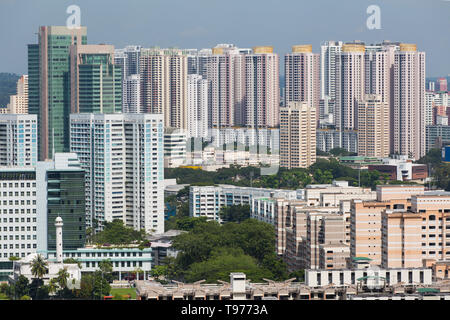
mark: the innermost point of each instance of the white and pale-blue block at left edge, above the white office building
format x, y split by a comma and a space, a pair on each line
18, 140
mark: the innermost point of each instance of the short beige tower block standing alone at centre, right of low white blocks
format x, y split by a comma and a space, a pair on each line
297, 135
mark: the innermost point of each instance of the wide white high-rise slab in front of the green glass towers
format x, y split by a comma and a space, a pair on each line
122, 155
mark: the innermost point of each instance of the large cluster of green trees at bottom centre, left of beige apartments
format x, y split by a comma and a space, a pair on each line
211, 251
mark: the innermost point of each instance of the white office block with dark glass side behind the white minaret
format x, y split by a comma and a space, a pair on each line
31, 199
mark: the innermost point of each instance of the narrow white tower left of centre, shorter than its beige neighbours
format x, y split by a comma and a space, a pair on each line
197, 109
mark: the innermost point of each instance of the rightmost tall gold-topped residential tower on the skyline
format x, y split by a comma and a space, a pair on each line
408, 121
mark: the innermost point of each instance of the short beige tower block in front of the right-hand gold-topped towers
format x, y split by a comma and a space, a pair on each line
373, 127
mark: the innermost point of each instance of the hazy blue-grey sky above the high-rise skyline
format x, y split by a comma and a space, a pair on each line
246, 23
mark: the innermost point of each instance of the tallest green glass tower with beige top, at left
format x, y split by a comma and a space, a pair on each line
49, 85
